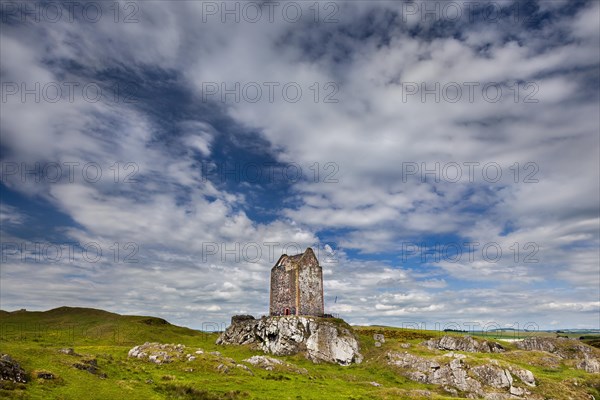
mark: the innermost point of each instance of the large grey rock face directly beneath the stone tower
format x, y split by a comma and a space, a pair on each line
321, 339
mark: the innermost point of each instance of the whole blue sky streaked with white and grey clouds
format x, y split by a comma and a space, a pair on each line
442, 158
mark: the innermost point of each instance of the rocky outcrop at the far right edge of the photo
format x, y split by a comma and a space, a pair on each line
585, 357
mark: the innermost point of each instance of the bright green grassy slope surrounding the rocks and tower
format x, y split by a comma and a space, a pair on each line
34, 338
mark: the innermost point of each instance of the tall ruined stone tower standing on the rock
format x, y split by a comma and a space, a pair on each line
297, 285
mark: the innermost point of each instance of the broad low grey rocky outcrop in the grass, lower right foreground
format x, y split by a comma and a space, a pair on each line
456, 374
